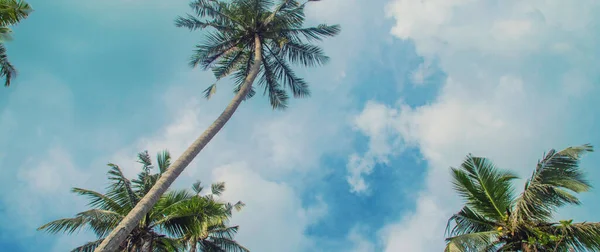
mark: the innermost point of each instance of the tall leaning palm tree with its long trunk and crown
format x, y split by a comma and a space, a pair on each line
245, 39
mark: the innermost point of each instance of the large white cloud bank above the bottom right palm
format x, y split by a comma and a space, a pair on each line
505, 98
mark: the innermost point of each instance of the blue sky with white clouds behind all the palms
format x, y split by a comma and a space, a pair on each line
413, 86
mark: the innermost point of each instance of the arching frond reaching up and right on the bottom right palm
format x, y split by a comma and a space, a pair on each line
551, 185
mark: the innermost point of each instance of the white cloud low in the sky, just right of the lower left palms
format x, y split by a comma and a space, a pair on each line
271, 207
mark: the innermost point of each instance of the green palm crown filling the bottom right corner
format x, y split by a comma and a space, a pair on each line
493, 219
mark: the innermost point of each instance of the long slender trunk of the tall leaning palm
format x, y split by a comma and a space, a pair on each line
112, 241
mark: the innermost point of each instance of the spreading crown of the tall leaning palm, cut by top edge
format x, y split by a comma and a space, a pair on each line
233, 30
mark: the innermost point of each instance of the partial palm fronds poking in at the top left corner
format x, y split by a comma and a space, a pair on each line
11, 13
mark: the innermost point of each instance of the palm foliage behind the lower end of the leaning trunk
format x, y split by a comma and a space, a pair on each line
177, 215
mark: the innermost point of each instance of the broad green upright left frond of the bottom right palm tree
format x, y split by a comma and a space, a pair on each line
487, 190
